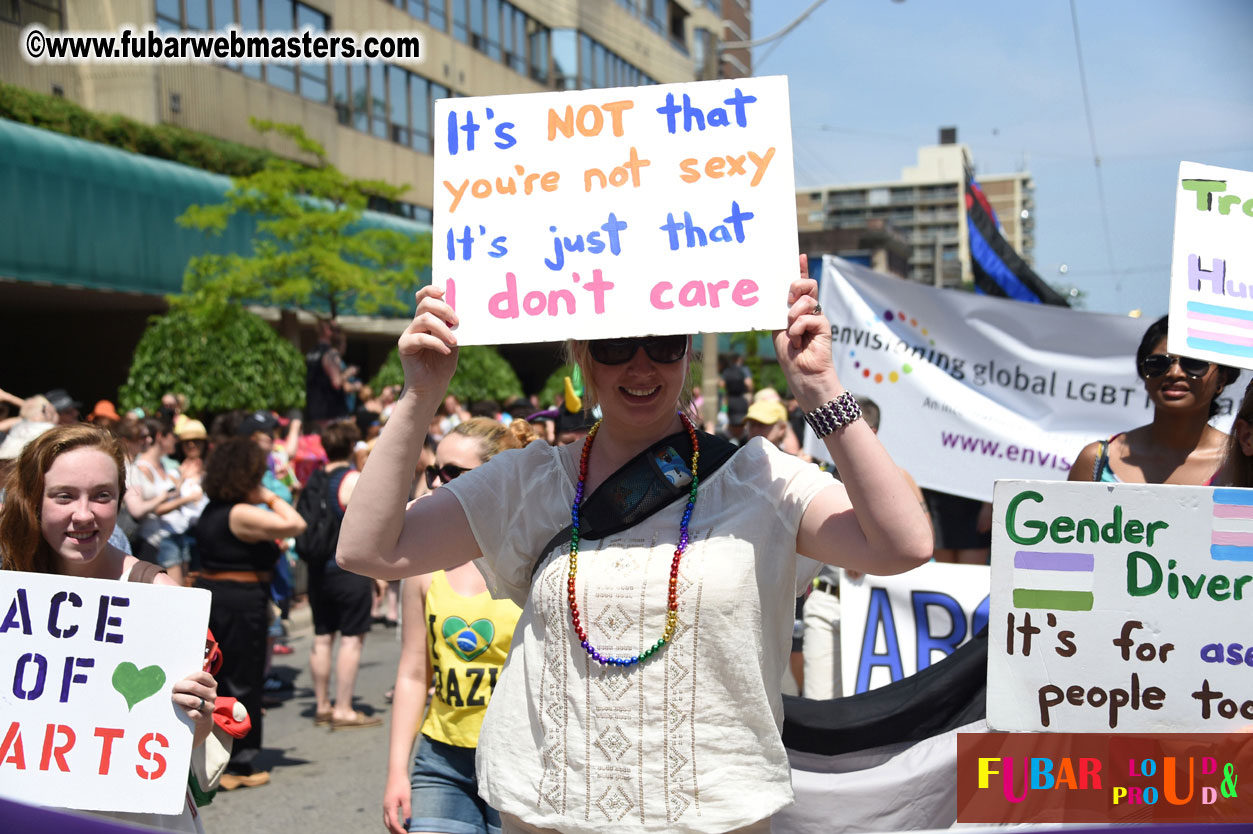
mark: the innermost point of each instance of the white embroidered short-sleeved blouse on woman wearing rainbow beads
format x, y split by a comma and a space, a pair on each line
687, 741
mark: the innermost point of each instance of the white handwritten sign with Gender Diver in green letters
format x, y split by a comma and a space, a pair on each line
1121, 608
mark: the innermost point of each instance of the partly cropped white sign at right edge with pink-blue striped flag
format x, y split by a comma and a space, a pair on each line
1212, 266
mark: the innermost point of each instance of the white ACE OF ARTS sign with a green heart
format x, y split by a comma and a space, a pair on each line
87, 668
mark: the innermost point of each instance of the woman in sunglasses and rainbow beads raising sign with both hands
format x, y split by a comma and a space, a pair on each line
657, 570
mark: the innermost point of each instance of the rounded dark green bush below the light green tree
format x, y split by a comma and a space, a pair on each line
222, 359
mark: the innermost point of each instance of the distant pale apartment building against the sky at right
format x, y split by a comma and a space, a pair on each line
928, 206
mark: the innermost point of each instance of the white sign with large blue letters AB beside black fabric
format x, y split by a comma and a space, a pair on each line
894, 627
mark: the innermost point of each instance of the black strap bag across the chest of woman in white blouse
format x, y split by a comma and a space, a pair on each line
640, 489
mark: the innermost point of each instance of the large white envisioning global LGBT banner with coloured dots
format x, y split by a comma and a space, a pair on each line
975, 389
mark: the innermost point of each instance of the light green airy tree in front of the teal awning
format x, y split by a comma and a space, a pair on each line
310, 250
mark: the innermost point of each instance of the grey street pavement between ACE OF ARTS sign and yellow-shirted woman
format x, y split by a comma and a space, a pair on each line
321, 782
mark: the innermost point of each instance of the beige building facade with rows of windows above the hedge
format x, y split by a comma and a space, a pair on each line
375, 118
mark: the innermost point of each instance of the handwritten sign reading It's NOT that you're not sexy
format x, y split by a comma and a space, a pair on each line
616, 212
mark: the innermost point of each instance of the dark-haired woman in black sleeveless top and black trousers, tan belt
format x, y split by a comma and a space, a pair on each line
236, 544
